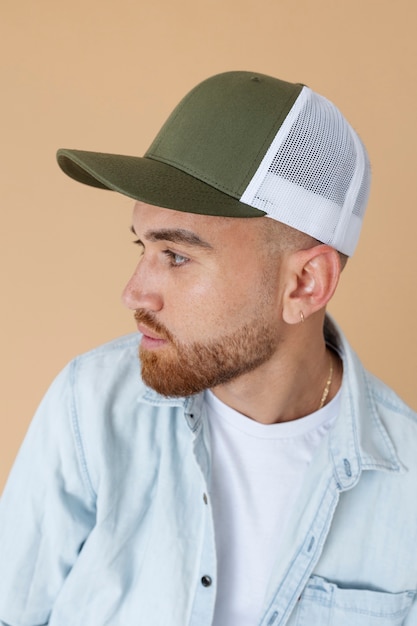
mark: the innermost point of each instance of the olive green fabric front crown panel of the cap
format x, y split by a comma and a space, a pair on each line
221, 130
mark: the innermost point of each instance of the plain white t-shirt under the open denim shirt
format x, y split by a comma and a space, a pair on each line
257, 472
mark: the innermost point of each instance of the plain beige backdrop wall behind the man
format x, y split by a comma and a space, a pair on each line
103, 75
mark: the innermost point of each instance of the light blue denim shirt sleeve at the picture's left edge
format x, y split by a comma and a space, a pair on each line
47, 510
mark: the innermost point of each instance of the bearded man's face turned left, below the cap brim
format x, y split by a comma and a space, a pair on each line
206, 298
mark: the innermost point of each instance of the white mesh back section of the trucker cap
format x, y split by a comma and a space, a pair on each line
315, 175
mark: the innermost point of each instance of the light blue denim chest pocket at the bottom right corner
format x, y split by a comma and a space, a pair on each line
323, 603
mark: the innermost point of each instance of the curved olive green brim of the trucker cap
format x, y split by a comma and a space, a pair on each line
151, 181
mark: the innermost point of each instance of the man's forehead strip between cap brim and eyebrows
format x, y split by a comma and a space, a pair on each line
213, 229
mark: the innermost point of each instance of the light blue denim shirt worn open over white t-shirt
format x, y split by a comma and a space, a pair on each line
106, 516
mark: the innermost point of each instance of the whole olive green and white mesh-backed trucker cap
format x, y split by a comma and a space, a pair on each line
242, 144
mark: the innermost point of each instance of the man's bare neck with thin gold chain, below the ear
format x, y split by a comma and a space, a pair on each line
291, 384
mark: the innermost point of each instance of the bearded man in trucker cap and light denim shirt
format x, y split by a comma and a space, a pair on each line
245, 469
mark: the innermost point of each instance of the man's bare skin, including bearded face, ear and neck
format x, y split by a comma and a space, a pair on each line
218, 301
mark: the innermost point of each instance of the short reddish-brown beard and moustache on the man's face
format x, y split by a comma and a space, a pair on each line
179, 369
